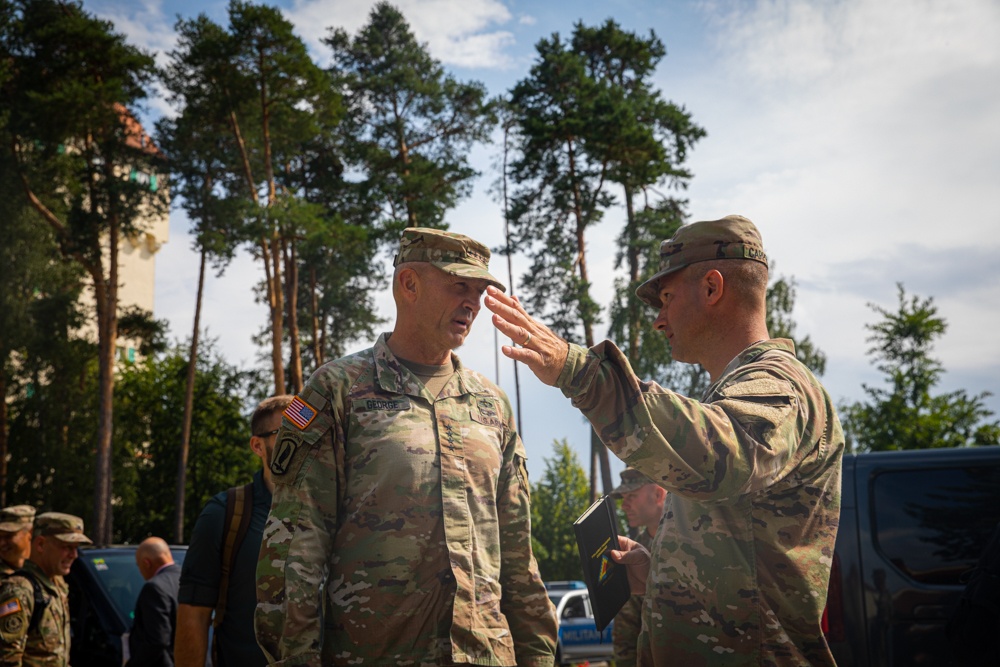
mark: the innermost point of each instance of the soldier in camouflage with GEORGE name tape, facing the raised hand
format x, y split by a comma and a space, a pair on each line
401, 485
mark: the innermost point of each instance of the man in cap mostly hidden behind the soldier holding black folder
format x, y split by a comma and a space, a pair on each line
642, 502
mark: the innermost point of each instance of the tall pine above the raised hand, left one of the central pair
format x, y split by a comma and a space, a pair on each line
558, 186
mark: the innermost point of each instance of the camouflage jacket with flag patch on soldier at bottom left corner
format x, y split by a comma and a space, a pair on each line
48, 644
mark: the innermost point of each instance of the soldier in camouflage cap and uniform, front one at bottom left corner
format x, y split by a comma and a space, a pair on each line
36, 637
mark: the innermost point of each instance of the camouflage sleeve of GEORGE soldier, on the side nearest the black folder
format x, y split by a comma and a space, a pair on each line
525, 603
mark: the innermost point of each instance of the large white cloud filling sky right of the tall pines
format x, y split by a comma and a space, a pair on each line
861, 136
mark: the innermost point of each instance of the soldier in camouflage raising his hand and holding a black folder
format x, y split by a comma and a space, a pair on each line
741, 562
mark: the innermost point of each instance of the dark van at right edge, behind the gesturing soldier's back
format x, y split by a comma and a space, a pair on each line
911, 524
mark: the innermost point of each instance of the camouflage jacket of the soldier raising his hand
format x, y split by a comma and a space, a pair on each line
742, 556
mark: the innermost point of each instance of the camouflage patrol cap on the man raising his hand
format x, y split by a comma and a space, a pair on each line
732, 237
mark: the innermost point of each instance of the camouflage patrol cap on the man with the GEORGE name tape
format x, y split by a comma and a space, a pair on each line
453, 253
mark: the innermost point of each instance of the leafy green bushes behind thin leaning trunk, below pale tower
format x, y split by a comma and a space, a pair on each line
150, 397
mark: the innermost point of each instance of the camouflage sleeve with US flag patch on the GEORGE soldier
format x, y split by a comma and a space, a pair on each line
296, 545
